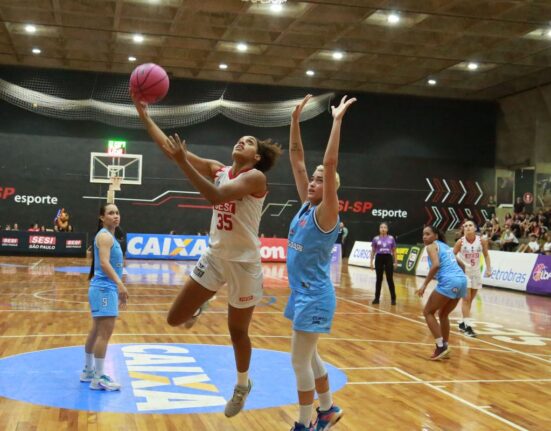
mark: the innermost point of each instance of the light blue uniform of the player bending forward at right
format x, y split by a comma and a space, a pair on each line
452, 281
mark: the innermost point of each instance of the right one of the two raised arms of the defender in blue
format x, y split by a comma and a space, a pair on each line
327, 211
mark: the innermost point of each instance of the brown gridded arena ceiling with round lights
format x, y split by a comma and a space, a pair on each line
509, 40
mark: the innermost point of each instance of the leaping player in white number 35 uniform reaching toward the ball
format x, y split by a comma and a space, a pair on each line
237, 193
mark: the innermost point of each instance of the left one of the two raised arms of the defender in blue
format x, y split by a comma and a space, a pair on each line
296, 151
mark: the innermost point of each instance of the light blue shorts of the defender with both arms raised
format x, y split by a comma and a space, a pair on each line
311, 313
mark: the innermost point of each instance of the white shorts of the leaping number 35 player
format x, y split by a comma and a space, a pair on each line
245, 281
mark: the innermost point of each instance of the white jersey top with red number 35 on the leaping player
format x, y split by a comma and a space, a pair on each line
234, 225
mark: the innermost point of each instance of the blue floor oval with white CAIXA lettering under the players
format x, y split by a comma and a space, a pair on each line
155, 378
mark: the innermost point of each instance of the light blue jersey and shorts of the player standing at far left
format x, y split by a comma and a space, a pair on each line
103, 292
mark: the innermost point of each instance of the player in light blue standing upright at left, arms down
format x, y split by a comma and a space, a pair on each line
105, 294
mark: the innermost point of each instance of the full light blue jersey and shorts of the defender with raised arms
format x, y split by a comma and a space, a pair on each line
312, 302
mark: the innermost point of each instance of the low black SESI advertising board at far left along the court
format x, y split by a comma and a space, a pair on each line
43, 243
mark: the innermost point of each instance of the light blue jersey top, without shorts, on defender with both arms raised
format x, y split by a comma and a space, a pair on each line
309, 253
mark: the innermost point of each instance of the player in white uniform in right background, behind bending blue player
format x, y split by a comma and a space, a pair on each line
470, 248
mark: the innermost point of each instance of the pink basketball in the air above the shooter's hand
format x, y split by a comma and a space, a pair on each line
149, 82
